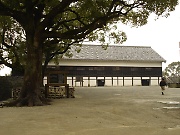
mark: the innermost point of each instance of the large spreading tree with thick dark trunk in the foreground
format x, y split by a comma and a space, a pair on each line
52, 26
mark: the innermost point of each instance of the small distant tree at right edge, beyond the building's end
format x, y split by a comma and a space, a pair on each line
172, 70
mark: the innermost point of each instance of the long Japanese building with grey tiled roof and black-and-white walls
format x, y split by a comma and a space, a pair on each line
114, 66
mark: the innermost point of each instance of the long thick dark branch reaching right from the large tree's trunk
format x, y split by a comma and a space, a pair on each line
81, 32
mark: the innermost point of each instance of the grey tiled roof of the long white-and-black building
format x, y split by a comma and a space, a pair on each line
115, 53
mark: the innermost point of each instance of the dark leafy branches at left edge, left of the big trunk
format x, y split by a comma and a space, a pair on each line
12, 47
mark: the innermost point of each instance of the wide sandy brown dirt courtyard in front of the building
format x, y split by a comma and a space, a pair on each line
133, 110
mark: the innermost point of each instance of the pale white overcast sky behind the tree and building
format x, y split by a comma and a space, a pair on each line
163, 35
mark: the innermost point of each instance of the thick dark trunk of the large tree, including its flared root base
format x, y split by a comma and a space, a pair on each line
31, 94
